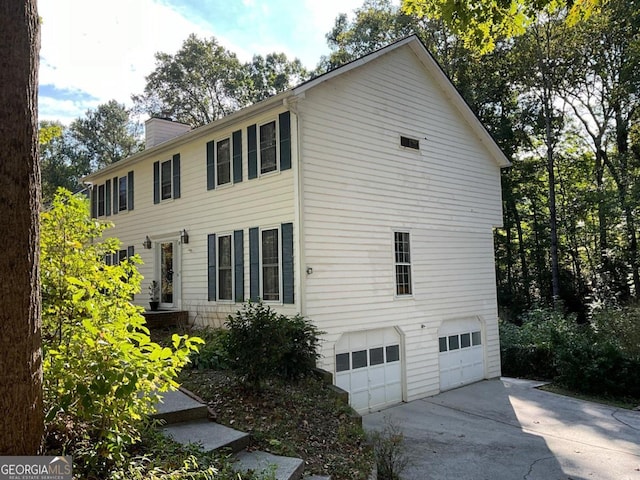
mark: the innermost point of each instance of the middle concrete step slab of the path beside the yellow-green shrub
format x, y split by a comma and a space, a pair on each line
209, 435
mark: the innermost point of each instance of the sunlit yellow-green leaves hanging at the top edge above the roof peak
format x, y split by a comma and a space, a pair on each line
481, 23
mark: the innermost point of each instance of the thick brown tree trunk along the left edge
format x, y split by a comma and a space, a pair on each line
21, 411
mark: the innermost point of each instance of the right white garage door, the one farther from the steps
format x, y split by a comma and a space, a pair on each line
461, 353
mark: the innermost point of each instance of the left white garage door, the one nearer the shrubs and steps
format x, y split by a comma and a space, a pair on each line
368, 366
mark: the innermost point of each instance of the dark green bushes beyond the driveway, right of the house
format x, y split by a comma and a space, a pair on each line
599, 357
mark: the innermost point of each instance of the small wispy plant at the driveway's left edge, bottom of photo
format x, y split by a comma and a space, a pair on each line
389, 450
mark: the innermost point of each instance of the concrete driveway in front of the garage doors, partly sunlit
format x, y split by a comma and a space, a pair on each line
507, 429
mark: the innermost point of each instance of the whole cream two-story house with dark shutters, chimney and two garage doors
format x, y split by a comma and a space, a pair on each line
364, 199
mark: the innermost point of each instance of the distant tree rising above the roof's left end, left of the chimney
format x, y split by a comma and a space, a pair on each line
104, 136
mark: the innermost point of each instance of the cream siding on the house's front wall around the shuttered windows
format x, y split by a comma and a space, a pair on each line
267, 201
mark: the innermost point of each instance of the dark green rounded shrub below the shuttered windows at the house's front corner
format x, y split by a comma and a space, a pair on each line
262, 343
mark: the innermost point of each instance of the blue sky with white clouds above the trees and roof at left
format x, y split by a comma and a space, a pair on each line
94, 51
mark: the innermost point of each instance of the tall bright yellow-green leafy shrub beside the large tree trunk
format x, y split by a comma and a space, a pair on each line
101, 371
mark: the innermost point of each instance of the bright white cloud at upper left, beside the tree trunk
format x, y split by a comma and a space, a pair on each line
105, 49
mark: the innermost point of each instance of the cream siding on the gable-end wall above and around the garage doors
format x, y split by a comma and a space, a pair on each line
359, 186
